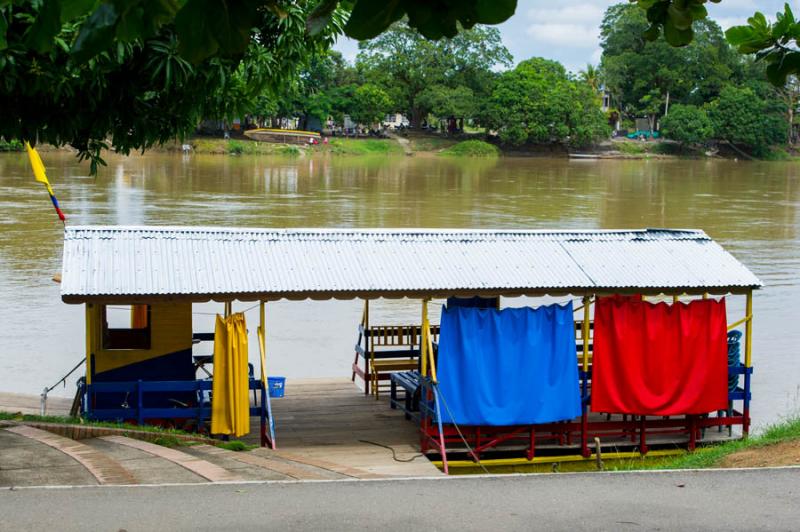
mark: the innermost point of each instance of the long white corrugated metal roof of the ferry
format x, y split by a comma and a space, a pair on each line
202, 263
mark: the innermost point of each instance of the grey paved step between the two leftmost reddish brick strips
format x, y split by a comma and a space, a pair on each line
146, 468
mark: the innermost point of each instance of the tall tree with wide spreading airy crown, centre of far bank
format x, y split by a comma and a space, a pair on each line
405, 64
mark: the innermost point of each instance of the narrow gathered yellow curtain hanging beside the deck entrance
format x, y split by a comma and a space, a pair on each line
230, 403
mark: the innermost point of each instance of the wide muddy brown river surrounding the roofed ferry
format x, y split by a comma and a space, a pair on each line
750, 208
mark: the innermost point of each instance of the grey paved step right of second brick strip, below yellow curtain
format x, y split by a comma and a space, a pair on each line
270, 467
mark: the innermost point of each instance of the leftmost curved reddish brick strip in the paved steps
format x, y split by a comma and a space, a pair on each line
102, 467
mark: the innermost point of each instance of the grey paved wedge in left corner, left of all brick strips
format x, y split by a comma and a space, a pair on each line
28, 462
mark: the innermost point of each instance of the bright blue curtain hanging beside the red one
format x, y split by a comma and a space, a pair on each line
515, 366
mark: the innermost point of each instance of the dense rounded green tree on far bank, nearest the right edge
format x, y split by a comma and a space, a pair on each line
742, 116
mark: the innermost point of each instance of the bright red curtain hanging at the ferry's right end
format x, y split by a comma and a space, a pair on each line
659, 359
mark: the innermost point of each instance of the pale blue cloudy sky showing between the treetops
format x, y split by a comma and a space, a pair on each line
568, 30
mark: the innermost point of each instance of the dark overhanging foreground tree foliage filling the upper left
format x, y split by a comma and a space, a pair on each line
141, 72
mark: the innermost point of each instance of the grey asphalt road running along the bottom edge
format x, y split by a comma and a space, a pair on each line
766, 499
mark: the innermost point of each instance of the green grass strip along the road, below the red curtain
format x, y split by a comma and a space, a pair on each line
709, 457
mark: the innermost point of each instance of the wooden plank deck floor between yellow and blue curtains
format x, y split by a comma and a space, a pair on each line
331, 424
